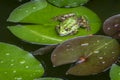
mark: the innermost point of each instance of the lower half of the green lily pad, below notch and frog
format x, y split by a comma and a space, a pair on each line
38, 34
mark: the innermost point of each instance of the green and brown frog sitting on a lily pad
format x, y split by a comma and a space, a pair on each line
70, 23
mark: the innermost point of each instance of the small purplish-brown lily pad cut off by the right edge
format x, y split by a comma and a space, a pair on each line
111, 26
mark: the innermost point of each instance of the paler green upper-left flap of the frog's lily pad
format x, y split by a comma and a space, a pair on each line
26, 10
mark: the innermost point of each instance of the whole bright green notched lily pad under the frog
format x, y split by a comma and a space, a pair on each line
43, 27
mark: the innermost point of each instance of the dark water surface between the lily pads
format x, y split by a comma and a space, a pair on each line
104, 9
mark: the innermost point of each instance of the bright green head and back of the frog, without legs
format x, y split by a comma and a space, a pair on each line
68, 26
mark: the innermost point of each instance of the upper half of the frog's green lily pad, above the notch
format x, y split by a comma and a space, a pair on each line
38, 13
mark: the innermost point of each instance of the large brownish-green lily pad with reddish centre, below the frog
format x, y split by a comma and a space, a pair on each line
91, 54
